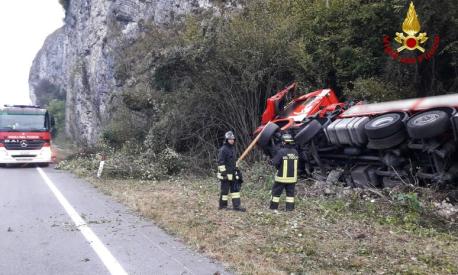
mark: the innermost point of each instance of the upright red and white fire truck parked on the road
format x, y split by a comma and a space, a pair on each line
25, 135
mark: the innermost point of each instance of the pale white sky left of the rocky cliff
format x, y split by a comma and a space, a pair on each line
24, 26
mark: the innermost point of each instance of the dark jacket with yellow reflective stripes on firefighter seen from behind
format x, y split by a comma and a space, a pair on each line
286, 161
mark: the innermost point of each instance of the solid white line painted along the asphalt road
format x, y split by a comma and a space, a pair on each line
104, 254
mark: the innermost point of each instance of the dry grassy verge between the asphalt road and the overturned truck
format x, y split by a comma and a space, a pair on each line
327, 234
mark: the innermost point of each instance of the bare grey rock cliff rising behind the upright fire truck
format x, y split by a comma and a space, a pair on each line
78, 59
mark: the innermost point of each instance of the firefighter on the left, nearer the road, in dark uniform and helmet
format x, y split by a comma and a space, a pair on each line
229, 174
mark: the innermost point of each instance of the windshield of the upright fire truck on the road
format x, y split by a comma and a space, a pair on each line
23, 122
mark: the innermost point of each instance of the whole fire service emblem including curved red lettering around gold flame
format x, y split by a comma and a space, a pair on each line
411, 39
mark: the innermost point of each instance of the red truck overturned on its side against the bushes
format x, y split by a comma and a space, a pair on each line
372, 145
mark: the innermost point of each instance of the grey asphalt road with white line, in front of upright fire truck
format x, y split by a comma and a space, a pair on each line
54, 223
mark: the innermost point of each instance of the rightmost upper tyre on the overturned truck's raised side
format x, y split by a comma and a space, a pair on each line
428, 124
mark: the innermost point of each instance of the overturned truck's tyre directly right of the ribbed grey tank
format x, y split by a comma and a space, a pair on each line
384, 126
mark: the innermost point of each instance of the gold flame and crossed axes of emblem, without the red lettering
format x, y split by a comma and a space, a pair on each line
411, 27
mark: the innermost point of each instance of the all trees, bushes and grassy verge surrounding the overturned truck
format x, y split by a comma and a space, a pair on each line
184, 86
